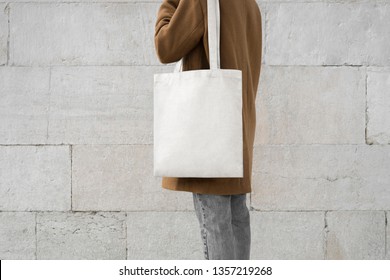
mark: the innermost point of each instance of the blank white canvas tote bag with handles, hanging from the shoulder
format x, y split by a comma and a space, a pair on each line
198, 116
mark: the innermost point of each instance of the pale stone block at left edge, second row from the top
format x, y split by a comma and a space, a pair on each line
24, 101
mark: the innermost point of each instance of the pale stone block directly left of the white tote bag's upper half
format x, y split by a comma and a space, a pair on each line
102, 105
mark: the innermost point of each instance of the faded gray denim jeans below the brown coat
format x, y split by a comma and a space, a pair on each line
224, 226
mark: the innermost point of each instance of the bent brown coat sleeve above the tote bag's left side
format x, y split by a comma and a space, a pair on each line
179, 28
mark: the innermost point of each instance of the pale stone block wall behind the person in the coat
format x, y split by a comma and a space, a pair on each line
76, 134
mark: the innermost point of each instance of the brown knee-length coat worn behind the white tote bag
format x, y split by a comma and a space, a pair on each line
181, 31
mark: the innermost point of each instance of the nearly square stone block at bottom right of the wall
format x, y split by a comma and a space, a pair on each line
355, 235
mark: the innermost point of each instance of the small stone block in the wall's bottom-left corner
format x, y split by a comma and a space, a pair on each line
17, 236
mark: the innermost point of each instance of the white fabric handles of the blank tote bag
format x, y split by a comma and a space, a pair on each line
213, 25
